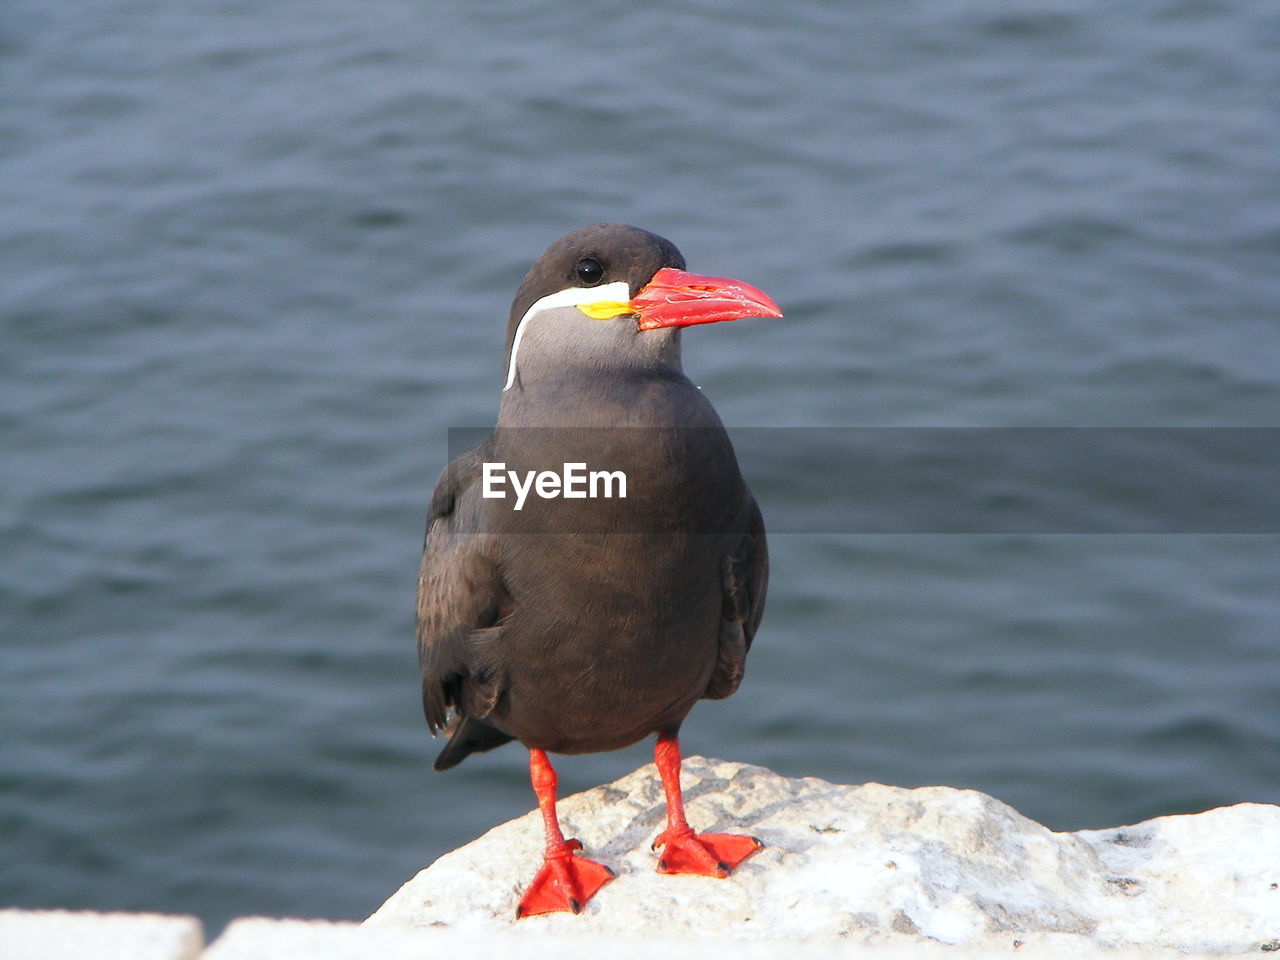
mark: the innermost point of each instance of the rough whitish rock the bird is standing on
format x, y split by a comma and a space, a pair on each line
879, 865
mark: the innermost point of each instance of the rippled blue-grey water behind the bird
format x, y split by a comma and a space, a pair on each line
257, 260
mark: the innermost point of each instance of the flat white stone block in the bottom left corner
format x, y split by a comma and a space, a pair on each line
62, 935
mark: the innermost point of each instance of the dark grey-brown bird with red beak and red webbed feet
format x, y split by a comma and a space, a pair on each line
577, 624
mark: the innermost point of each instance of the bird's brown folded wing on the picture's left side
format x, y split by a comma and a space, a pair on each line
461, 598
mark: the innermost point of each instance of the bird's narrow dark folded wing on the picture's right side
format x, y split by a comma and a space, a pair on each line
746, 583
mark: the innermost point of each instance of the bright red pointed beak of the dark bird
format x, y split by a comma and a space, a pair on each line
679, 299
